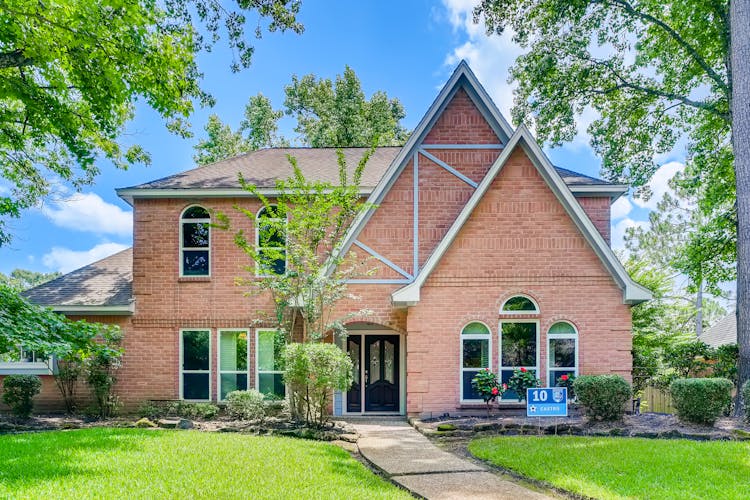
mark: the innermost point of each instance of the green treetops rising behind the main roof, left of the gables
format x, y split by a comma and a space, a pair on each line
328, 114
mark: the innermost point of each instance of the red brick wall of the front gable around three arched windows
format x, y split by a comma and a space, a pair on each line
518, 240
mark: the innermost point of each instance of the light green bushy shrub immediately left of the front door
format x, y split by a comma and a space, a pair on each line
313, 372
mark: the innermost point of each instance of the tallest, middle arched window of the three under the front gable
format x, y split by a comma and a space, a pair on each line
519, 340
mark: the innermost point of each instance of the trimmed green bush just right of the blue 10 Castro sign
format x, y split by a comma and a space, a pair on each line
603, 396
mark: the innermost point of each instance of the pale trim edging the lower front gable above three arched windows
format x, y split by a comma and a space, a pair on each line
633, 293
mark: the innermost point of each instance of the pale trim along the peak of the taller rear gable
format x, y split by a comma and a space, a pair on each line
481, 99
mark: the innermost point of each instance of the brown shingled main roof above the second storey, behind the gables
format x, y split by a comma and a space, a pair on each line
264, 166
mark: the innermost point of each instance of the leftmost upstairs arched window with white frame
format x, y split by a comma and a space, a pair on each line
195, 242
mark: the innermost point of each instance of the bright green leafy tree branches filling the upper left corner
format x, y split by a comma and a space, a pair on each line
71, 72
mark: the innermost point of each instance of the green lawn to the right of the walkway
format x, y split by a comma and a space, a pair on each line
626, 467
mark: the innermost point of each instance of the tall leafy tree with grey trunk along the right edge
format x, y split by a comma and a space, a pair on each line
657, 73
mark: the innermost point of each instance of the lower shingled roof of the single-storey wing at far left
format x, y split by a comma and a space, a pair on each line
103, 287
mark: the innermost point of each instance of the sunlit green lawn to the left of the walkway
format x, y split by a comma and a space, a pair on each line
134, 464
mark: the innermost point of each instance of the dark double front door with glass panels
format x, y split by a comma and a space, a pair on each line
376, 373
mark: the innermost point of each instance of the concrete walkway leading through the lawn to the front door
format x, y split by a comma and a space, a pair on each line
411, 460
